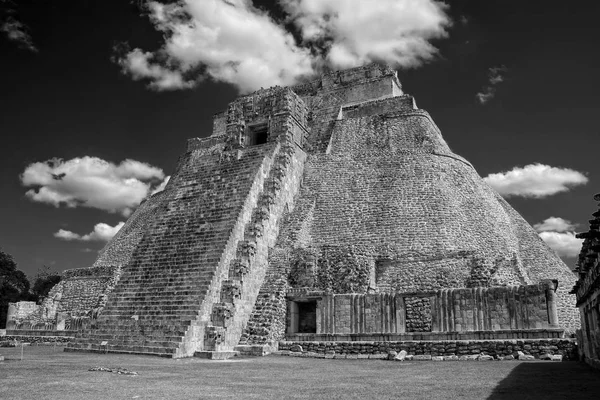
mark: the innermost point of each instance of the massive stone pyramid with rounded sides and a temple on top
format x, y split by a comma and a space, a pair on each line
331, 210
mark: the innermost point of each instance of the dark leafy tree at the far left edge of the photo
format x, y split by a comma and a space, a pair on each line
14, 285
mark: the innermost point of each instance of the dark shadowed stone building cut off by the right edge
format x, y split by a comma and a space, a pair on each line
587, 290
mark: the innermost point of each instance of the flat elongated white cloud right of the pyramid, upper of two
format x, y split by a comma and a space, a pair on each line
535, 180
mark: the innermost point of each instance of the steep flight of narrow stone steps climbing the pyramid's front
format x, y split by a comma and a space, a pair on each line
178, 258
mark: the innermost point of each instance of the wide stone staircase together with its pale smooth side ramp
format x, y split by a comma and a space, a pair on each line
163, 301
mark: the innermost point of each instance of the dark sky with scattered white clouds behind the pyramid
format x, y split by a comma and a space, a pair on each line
99, 97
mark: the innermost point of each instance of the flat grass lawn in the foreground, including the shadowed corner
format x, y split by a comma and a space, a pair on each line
46, 373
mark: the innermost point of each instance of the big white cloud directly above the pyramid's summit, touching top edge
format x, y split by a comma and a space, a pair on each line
356, 32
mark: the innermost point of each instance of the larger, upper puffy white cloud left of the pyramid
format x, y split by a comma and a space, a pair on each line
91, 182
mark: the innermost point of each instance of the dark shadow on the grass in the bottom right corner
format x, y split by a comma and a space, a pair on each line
549, 380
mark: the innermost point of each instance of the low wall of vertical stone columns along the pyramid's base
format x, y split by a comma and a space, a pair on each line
497, 309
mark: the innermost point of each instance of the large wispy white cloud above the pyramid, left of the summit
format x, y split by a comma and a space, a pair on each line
230, 41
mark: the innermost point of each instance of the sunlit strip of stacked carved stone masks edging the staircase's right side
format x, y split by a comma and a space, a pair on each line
247, 271
